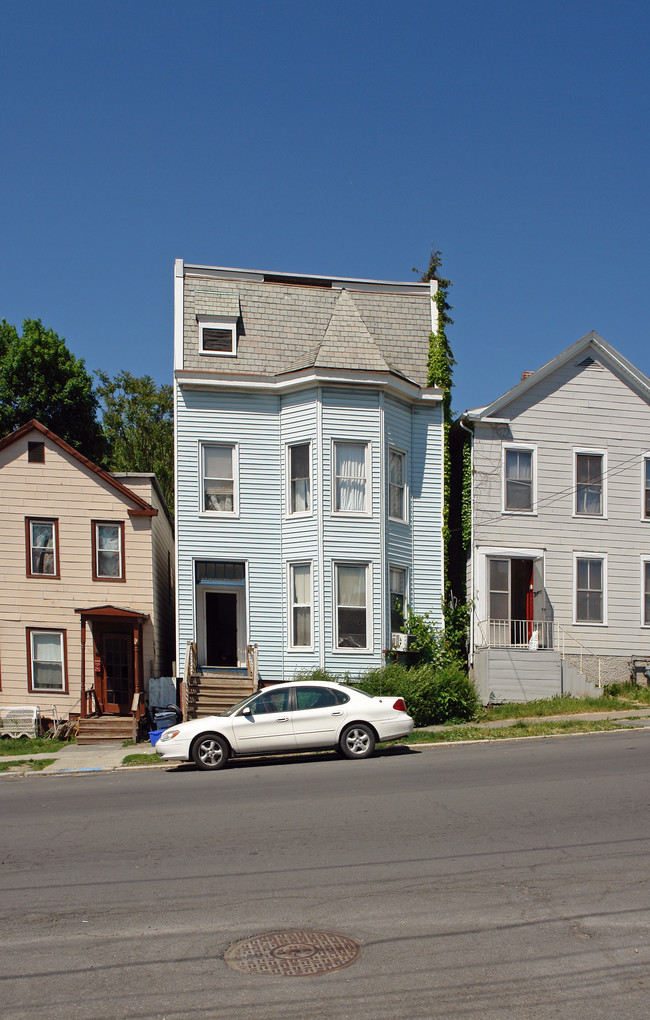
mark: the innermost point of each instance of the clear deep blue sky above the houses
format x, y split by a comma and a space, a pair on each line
338, 138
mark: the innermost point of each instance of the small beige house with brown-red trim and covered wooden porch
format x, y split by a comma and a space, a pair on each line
87, 587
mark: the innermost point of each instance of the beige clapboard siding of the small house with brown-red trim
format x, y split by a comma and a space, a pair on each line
65, 489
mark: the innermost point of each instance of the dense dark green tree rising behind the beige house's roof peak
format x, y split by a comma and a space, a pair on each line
41, 379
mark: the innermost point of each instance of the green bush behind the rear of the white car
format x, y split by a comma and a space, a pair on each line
433, 696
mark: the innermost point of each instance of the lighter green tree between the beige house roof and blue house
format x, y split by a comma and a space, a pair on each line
138, 426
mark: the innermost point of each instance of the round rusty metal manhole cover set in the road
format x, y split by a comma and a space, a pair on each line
293, 954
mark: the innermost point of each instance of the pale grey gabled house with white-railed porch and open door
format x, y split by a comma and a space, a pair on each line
560, 565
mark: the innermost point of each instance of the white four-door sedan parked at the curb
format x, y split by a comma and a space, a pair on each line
296, 717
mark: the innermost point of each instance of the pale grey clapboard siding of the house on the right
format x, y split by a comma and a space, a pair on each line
576, 407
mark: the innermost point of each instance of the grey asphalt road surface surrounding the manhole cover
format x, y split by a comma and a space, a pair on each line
499, 881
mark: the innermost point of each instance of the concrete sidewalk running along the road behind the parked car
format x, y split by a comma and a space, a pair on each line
76, 760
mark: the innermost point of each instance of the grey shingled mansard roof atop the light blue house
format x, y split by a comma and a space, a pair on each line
289, 325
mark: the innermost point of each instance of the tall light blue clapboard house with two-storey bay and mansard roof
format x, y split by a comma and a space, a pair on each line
309, 471
